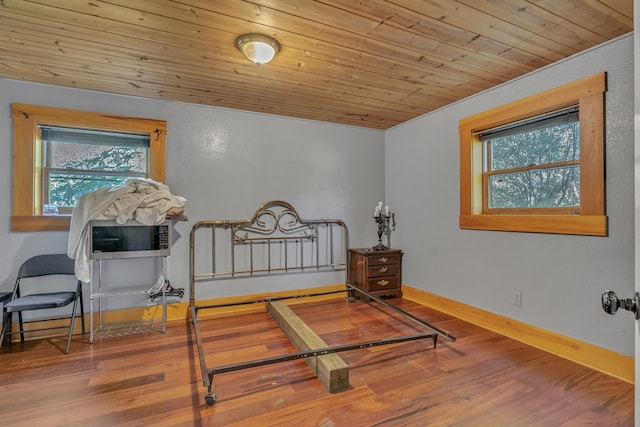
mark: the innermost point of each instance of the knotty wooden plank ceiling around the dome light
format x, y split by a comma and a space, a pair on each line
370, 63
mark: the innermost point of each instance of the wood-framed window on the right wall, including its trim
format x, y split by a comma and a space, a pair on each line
537, 165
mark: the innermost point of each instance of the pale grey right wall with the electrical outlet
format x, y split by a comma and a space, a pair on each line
560, 277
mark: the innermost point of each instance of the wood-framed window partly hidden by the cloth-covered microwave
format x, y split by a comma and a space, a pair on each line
59, 155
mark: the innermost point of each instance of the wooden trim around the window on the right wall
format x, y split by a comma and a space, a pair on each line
588, 94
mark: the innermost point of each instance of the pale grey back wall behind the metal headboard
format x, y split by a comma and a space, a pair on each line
226, 163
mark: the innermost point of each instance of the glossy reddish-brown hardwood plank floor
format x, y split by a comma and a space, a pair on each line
483, 379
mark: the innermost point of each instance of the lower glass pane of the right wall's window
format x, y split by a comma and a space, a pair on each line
537, 188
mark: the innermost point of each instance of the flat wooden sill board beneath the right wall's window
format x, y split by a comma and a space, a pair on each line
587, 225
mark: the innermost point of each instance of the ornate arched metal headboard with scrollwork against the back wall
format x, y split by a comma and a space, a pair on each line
275, 240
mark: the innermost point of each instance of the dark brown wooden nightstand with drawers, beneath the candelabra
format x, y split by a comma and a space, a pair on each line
377, 272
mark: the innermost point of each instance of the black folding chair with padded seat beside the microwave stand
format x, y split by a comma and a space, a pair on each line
37, 266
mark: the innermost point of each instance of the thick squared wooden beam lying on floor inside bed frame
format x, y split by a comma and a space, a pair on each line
332, 371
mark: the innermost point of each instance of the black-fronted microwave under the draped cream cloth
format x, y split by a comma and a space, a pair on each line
110, 240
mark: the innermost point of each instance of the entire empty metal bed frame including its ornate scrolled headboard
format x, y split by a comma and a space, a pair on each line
276, 240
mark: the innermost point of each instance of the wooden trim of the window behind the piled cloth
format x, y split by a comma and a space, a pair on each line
27, 177
